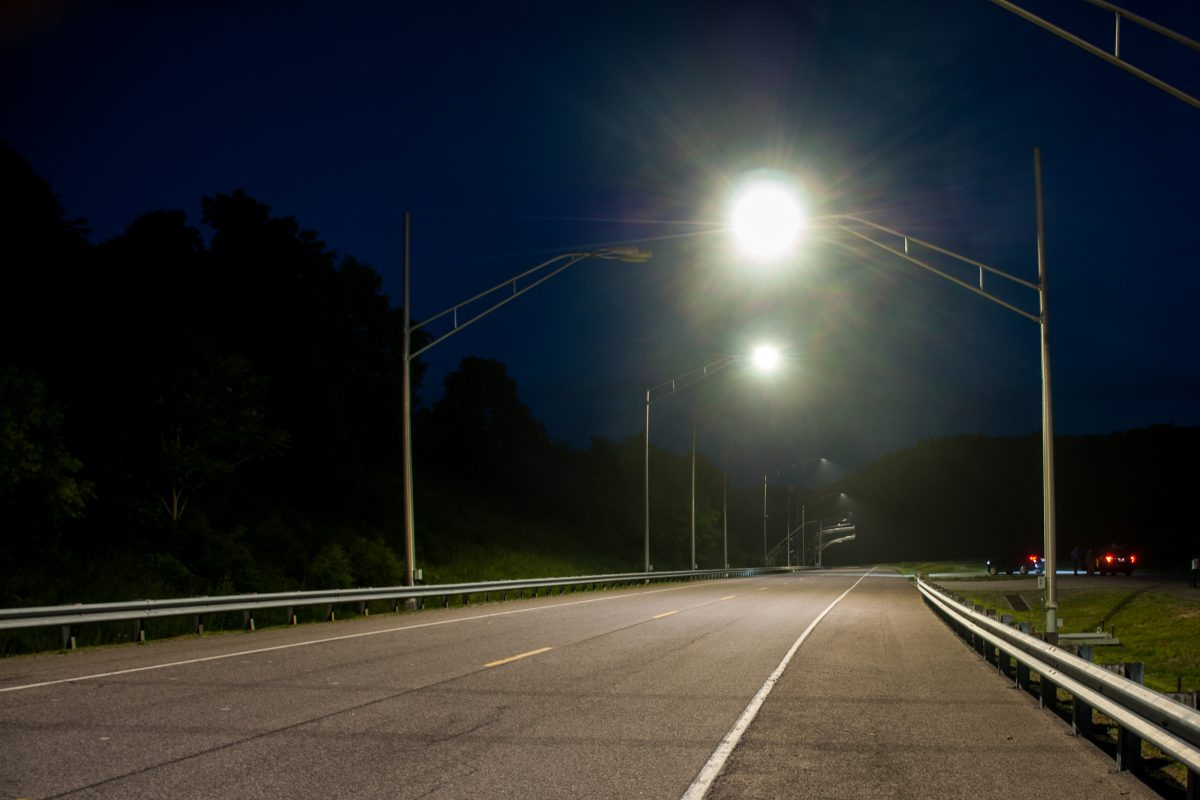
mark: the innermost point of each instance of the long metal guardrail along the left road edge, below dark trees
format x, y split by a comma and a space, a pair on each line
67, 618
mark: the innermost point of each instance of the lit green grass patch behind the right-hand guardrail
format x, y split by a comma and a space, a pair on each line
1162, 631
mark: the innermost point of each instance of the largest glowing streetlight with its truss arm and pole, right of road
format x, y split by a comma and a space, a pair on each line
778, 219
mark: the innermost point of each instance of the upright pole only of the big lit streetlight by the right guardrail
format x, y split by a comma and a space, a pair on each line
1048, 495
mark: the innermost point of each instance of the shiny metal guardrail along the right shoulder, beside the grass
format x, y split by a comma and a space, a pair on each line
1141, 713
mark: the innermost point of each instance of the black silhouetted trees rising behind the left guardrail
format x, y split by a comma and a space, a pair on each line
202, 412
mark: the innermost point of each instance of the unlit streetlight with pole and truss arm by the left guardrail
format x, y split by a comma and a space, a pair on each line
514, 287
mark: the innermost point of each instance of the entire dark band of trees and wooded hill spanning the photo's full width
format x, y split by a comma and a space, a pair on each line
217, 410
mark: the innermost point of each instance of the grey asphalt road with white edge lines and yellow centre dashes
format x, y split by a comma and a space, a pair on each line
633, 694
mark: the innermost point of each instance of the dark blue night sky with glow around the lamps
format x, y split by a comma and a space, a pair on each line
518, 131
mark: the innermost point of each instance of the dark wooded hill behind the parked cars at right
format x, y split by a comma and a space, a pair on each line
973, 496
